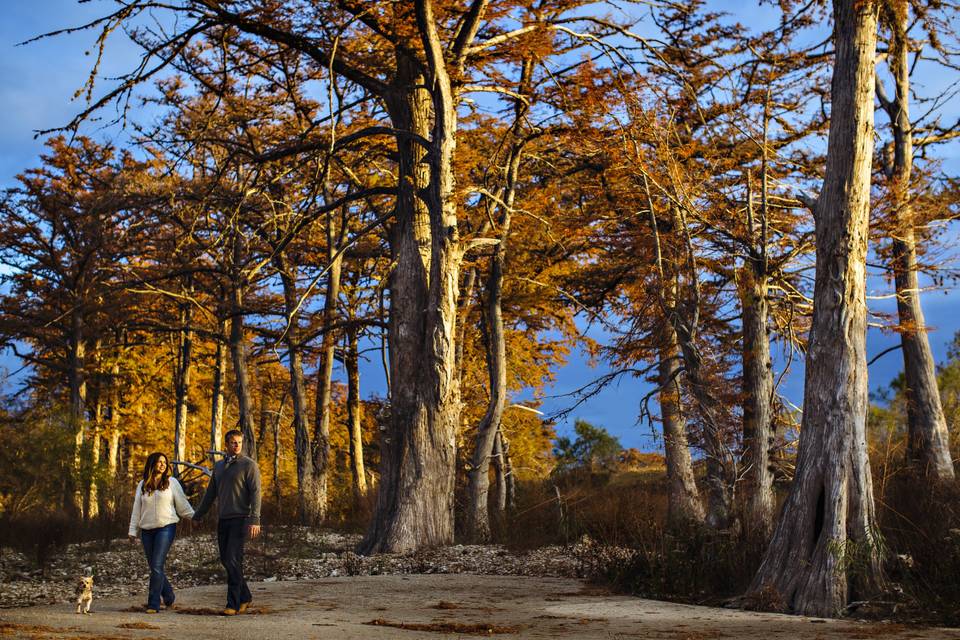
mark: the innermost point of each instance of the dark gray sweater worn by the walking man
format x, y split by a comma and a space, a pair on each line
236, 487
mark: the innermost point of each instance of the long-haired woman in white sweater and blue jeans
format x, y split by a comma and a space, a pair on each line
157, 507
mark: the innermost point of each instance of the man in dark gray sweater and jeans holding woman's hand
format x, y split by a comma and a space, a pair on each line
235, 485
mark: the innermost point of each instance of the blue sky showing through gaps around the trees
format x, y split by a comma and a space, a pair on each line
40, 78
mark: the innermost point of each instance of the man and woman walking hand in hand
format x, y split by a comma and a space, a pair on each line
160, 502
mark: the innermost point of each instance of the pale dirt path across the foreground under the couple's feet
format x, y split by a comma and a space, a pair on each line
431, 606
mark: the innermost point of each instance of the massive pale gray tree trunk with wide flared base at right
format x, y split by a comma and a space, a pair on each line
828, 520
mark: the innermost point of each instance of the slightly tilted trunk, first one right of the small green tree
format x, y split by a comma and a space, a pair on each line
683, 498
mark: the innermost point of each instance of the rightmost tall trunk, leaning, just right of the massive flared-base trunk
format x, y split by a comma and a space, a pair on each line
929, 440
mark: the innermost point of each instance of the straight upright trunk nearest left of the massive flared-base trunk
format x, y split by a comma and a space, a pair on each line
758, 432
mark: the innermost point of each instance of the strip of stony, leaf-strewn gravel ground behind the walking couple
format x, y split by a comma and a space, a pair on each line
281, 554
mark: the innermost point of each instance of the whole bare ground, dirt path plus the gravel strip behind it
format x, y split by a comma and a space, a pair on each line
309, 585
